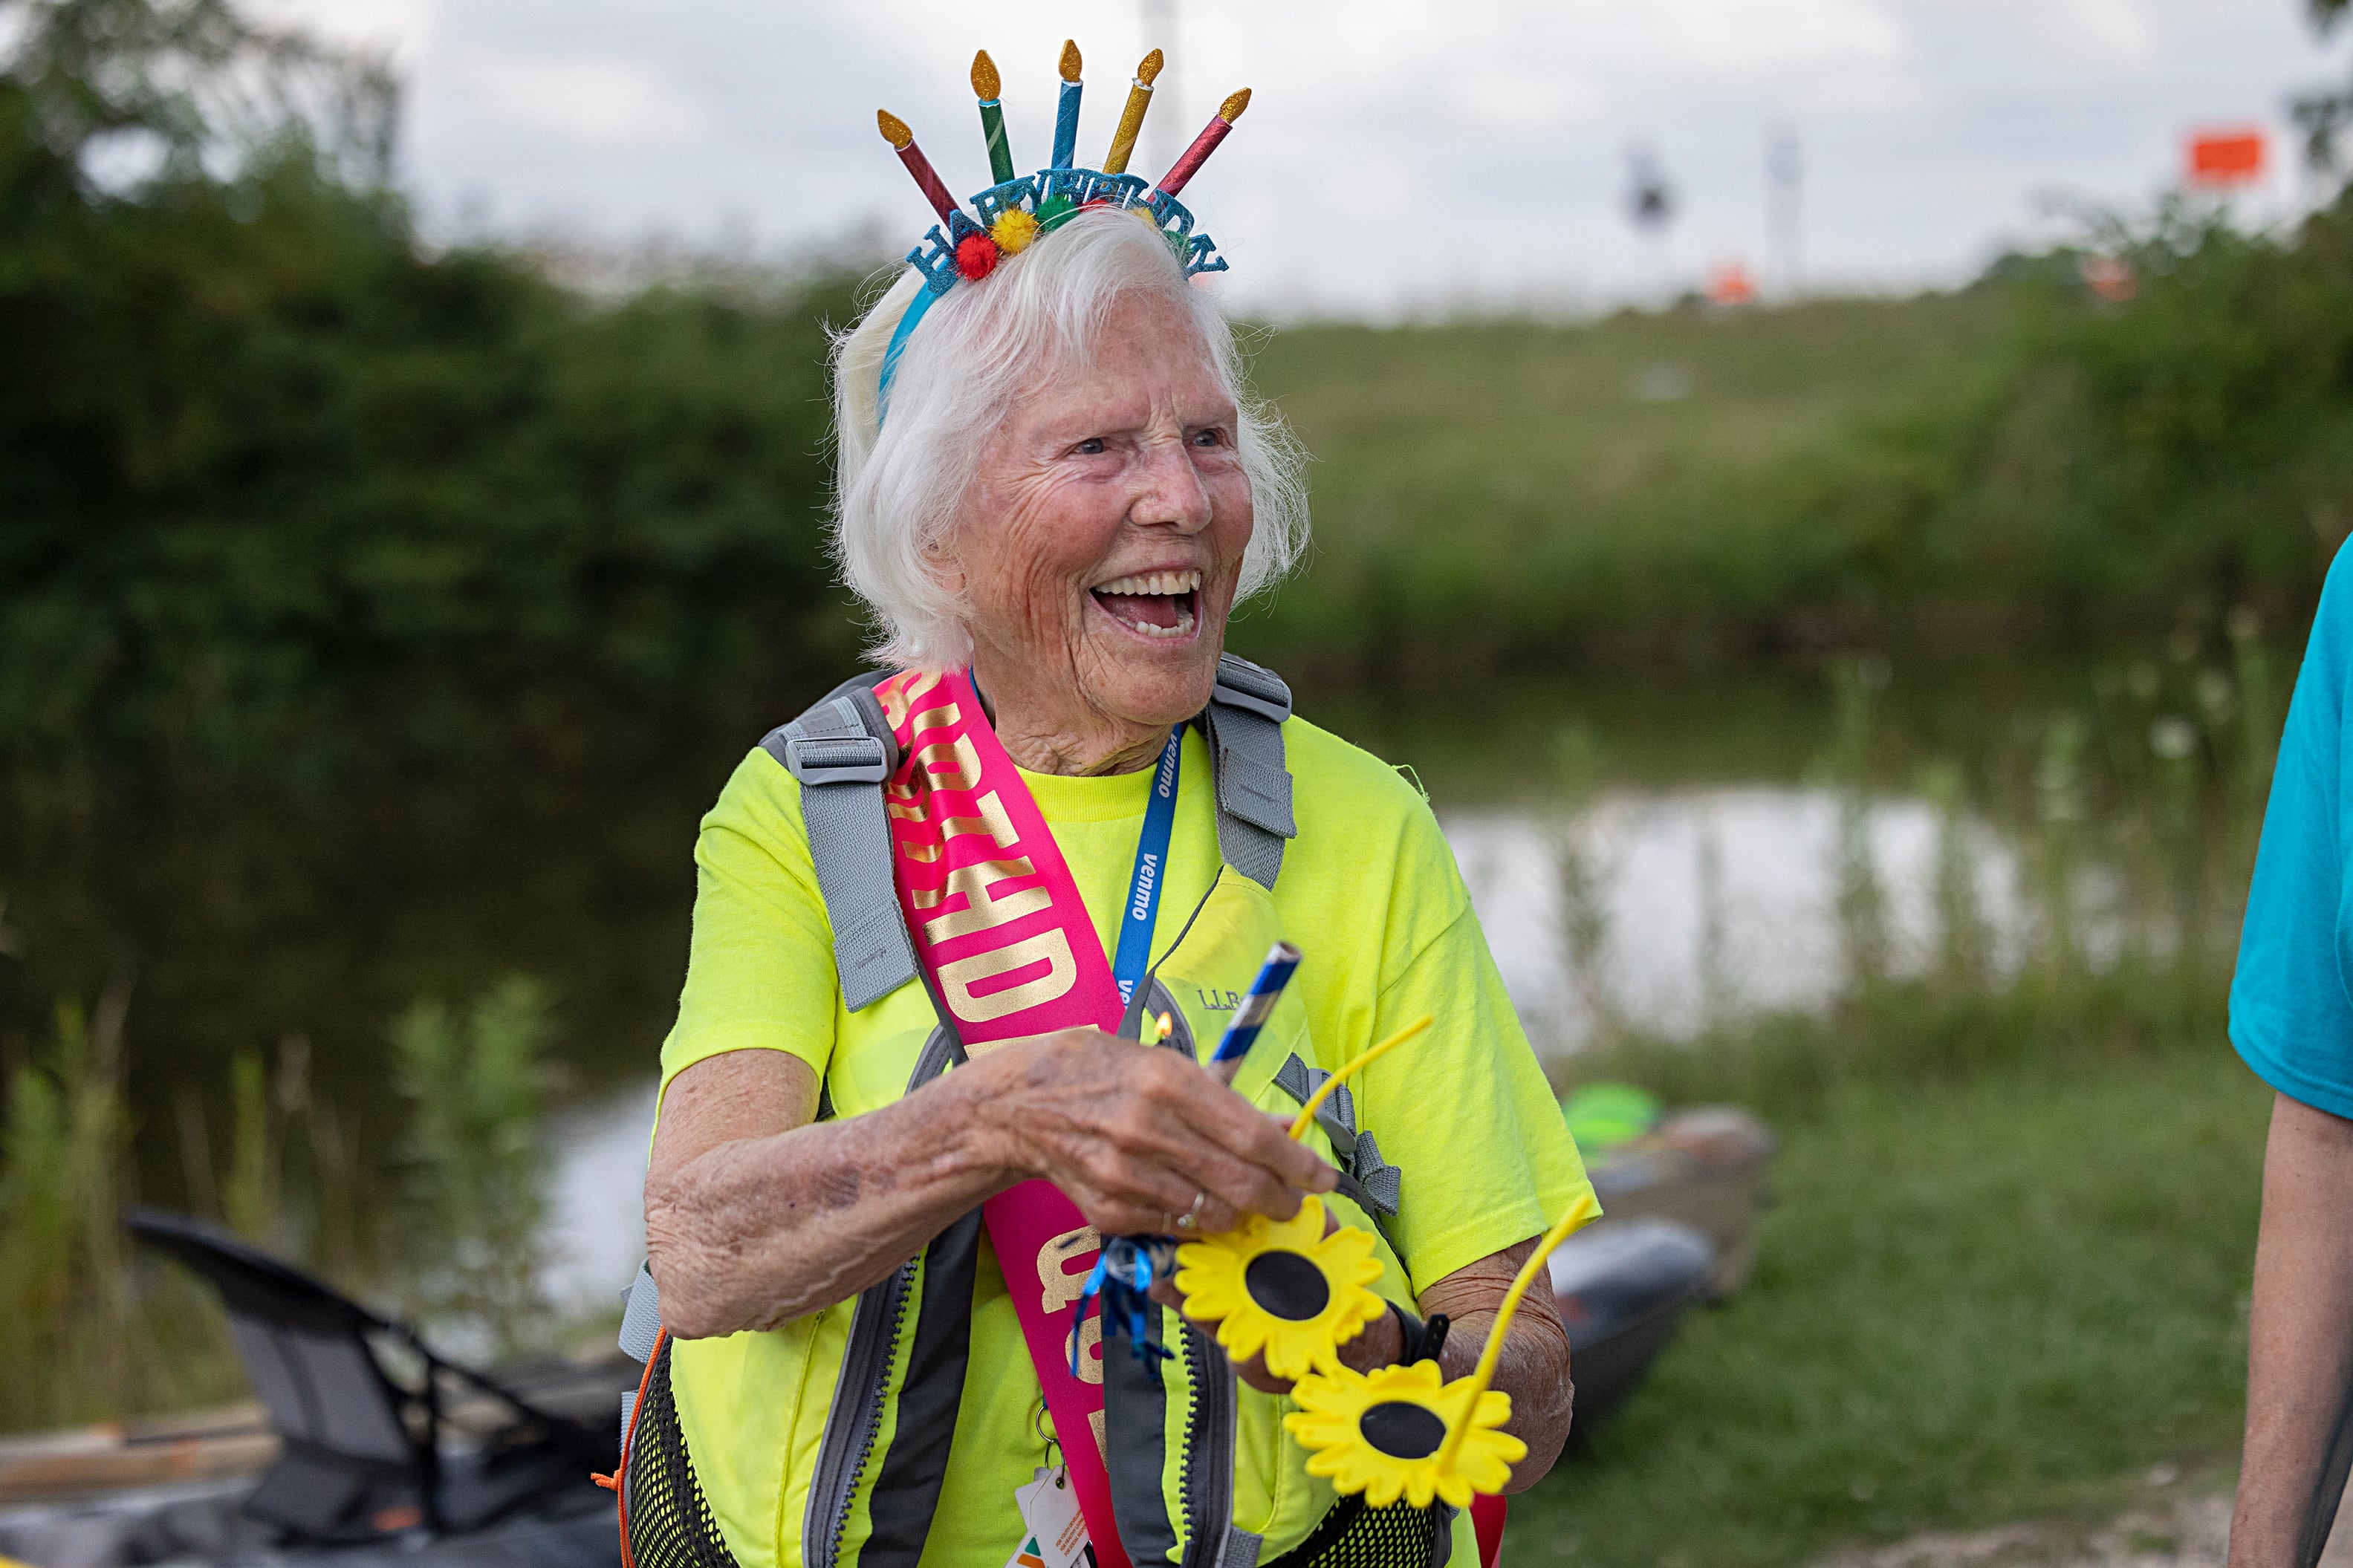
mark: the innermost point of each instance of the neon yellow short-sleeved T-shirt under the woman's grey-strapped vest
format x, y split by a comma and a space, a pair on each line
1368, 892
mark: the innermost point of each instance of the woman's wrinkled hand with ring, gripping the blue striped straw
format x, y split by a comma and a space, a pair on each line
1135, 1134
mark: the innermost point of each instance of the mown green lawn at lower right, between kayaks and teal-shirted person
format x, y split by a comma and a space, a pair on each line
1985, 1296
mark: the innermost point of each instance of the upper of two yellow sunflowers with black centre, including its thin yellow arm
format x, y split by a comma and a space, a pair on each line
1284, 1287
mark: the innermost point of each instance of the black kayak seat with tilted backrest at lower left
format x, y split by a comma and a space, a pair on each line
364, 1449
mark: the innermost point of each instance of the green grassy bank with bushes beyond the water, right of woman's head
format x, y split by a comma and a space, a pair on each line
2015, 464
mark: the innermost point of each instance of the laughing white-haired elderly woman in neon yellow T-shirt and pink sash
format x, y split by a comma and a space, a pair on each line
886, 1160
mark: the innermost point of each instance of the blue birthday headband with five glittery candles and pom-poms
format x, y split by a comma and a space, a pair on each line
1015, 210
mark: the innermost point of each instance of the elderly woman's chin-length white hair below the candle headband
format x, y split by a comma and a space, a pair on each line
900, 485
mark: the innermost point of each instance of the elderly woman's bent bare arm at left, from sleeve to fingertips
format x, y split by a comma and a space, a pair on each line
756, 1214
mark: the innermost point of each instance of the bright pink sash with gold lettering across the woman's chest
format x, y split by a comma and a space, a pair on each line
1008, 942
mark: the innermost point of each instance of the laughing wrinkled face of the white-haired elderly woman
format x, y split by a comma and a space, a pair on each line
1100, 547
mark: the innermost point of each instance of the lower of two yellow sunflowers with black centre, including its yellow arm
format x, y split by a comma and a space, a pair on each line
1404, 1430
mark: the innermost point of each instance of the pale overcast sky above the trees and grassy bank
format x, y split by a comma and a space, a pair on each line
1399, 154
